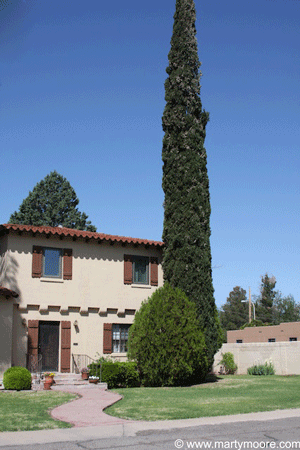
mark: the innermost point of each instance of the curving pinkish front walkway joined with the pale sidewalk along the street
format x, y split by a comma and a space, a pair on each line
90, 422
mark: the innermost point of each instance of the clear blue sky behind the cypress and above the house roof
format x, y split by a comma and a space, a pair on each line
82, 92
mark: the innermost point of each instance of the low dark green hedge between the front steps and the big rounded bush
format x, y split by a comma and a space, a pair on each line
116, 373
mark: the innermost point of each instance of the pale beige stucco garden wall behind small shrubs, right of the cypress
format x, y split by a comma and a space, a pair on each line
285, 356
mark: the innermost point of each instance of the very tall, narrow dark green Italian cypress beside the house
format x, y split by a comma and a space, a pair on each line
186, 233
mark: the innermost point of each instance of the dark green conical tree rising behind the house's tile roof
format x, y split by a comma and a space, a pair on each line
52, 202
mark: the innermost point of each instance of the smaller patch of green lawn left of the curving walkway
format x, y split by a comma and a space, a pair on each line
29, 410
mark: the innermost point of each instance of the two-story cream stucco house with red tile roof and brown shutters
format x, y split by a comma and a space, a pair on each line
66, 292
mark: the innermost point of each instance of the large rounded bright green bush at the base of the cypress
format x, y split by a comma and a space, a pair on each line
166, 342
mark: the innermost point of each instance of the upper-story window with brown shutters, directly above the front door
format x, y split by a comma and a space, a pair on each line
51, 262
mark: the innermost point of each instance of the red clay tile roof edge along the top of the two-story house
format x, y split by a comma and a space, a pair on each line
70, 232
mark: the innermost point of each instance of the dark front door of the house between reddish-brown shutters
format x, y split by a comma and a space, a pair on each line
49, 345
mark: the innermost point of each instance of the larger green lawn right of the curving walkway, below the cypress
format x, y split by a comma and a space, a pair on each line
228, 395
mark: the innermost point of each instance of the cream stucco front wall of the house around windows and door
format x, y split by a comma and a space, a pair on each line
95, 295
